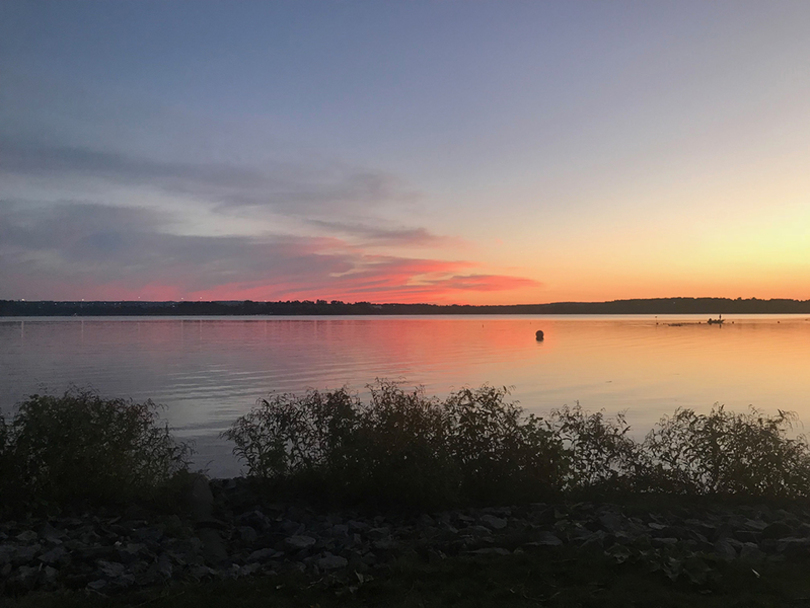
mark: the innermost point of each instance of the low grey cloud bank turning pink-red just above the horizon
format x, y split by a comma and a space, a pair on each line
75, 250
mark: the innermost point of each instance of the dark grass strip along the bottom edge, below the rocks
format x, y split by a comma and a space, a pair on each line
556, 577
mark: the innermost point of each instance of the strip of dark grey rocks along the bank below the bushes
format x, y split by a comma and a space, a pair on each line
228, 532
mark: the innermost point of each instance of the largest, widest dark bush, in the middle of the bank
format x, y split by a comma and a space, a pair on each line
399, 448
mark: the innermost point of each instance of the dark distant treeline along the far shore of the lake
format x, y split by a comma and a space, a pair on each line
653, 306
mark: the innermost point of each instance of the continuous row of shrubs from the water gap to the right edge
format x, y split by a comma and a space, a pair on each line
474, 446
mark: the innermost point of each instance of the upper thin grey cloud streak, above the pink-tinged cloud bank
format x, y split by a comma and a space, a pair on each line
298, 188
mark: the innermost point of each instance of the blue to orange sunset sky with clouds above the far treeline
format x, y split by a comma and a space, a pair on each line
445, 152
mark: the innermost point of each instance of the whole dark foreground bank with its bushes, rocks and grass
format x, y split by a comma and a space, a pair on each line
404, 500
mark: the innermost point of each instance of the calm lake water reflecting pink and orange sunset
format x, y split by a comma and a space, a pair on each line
208, 371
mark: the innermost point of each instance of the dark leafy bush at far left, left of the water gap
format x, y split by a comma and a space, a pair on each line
80, 447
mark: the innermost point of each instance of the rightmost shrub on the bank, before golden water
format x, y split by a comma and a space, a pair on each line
725, 453
